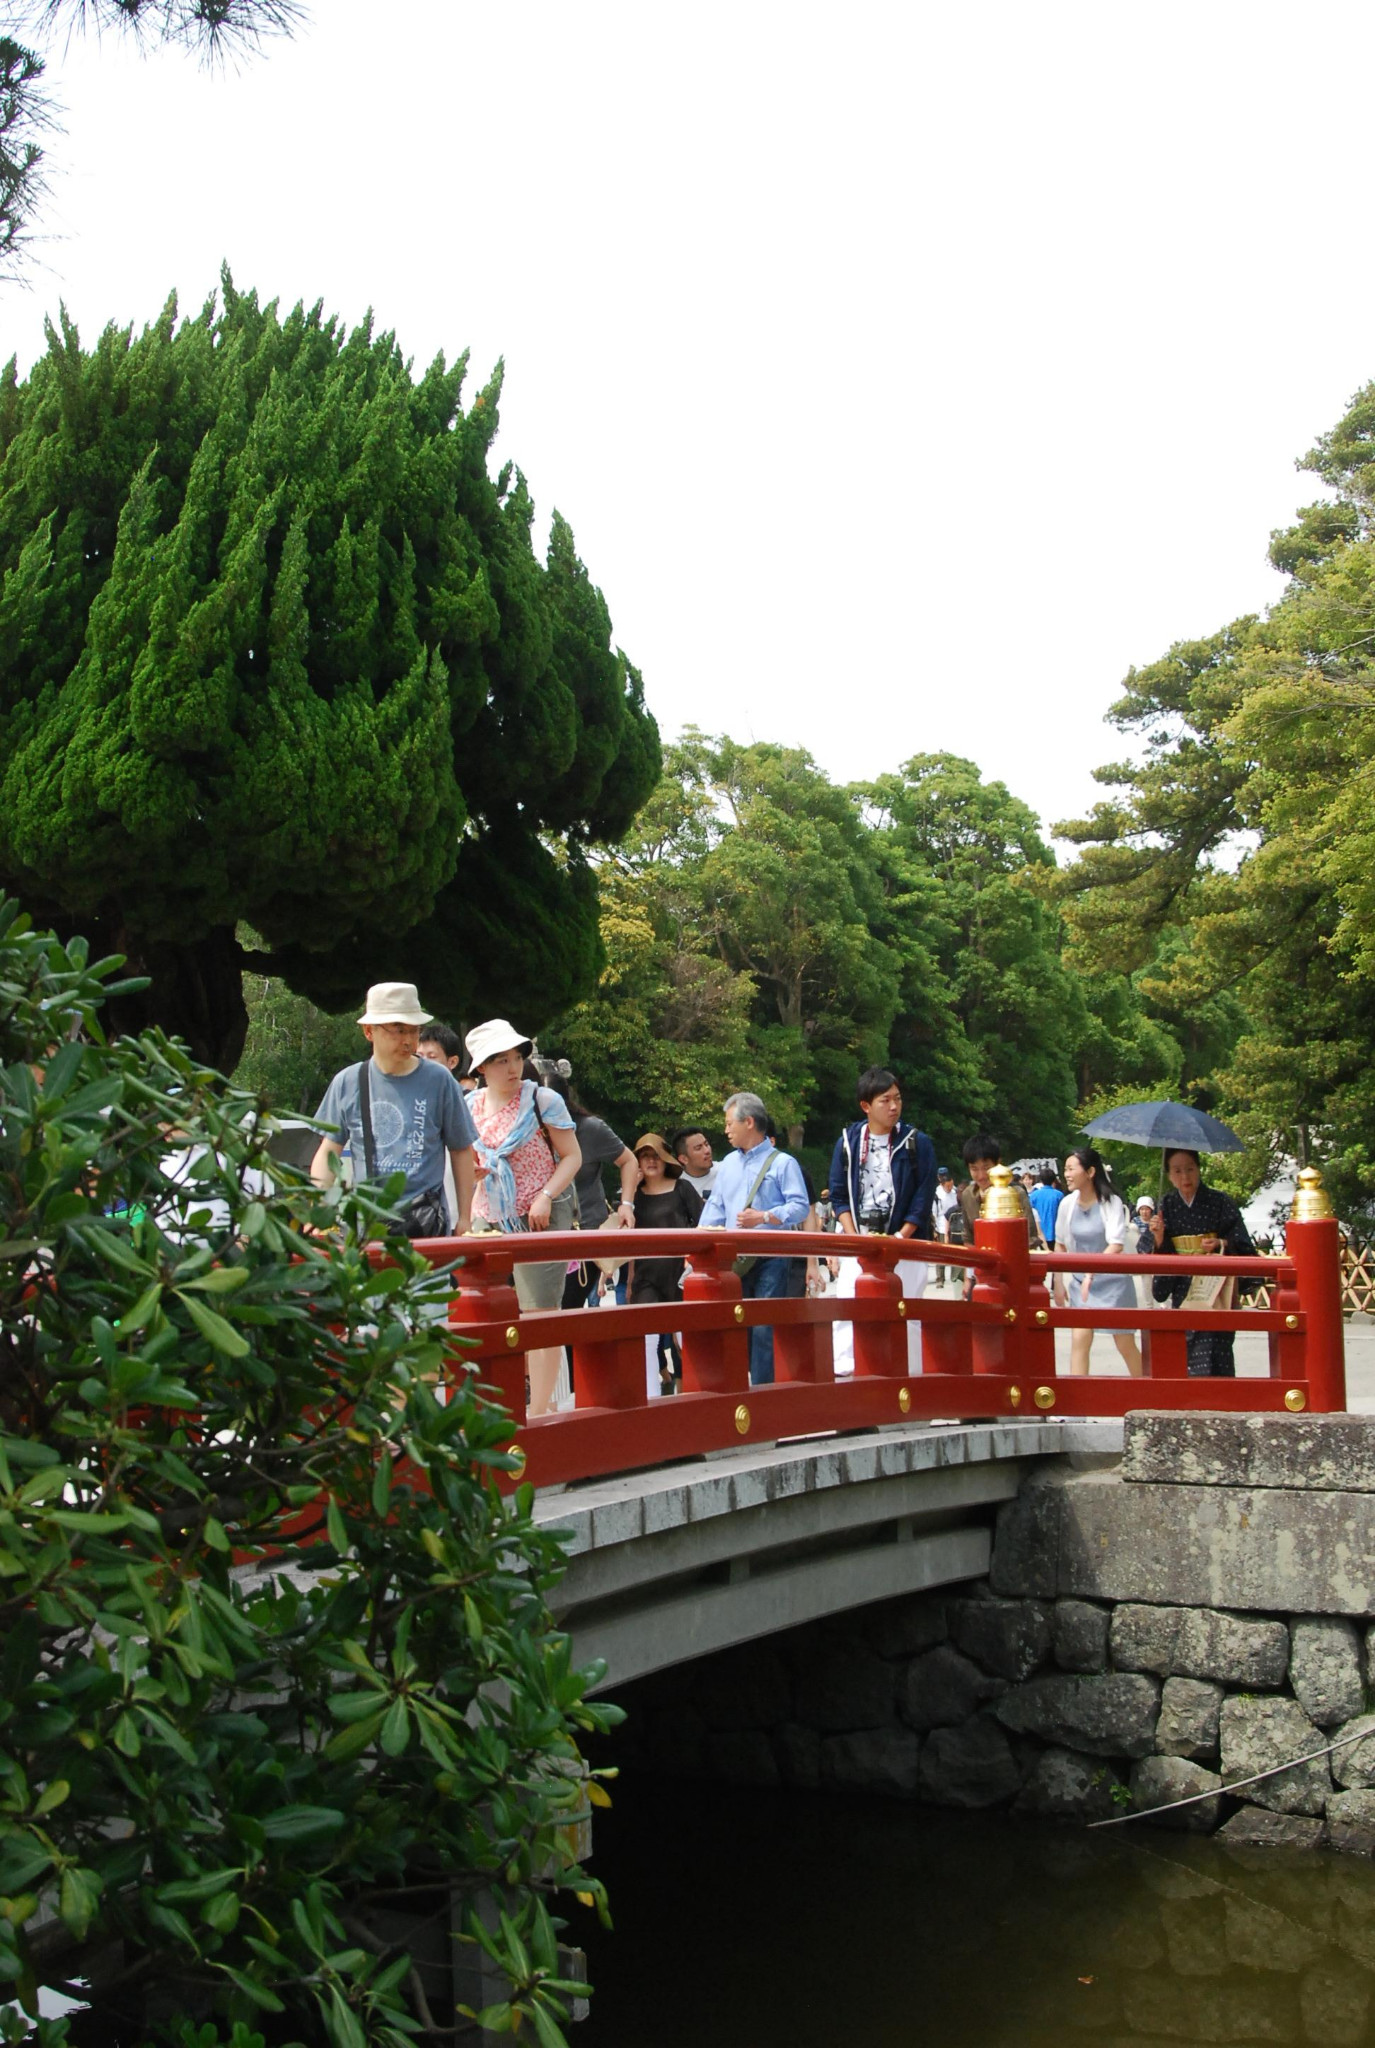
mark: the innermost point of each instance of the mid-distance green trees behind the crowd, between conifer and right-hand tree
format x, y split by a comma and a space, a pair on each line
769, 931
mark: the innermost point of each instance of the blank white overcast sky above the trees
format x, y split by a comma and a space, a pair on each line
905, 372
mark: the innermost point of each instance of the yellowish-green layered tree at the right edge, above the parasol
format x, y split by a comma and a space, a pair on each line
1235, 867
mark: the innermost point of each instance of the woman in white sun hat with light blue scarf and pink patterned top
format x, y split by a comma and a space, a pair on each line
530, 1156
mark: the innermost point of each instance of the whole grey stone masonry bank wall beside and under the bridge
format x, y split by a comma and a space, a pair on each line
1106, 1666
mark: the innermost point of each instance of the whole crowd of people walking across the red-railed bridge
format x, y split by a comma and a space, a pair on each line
493, 1138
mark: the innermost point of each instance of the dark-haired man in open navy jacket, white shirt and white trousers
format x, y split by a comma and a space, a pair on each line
882, 1183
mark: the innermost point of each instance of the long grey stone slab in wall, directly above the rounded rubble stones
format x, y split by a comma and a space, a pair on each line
1097, 1537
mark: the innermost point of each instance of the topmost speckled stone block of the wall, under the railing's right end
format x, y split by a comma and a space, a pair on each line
1310, 1453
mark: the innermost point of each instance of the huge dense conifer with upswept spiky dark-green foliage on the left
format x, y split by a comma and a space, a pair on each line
276, 648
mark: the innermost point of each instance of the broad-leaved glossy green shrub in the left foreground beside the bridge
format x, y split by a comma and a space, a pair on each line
276, 1650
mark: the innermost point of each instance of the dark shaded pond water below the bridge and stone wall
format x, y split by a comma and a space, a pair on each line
774, 1920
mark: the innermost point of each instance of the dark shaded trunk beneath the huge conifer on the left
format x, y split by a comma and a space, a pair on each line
196, 992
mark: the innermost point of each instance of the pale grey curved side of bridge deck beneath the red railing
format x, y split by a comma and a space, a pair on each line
677, 1562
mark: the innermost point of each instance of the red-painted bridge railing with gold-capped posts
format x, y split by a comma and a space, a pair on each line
987, 1357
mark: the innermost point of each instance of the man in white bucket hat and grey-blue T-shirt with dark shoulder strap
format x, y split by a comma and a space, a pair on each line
401, 1115
